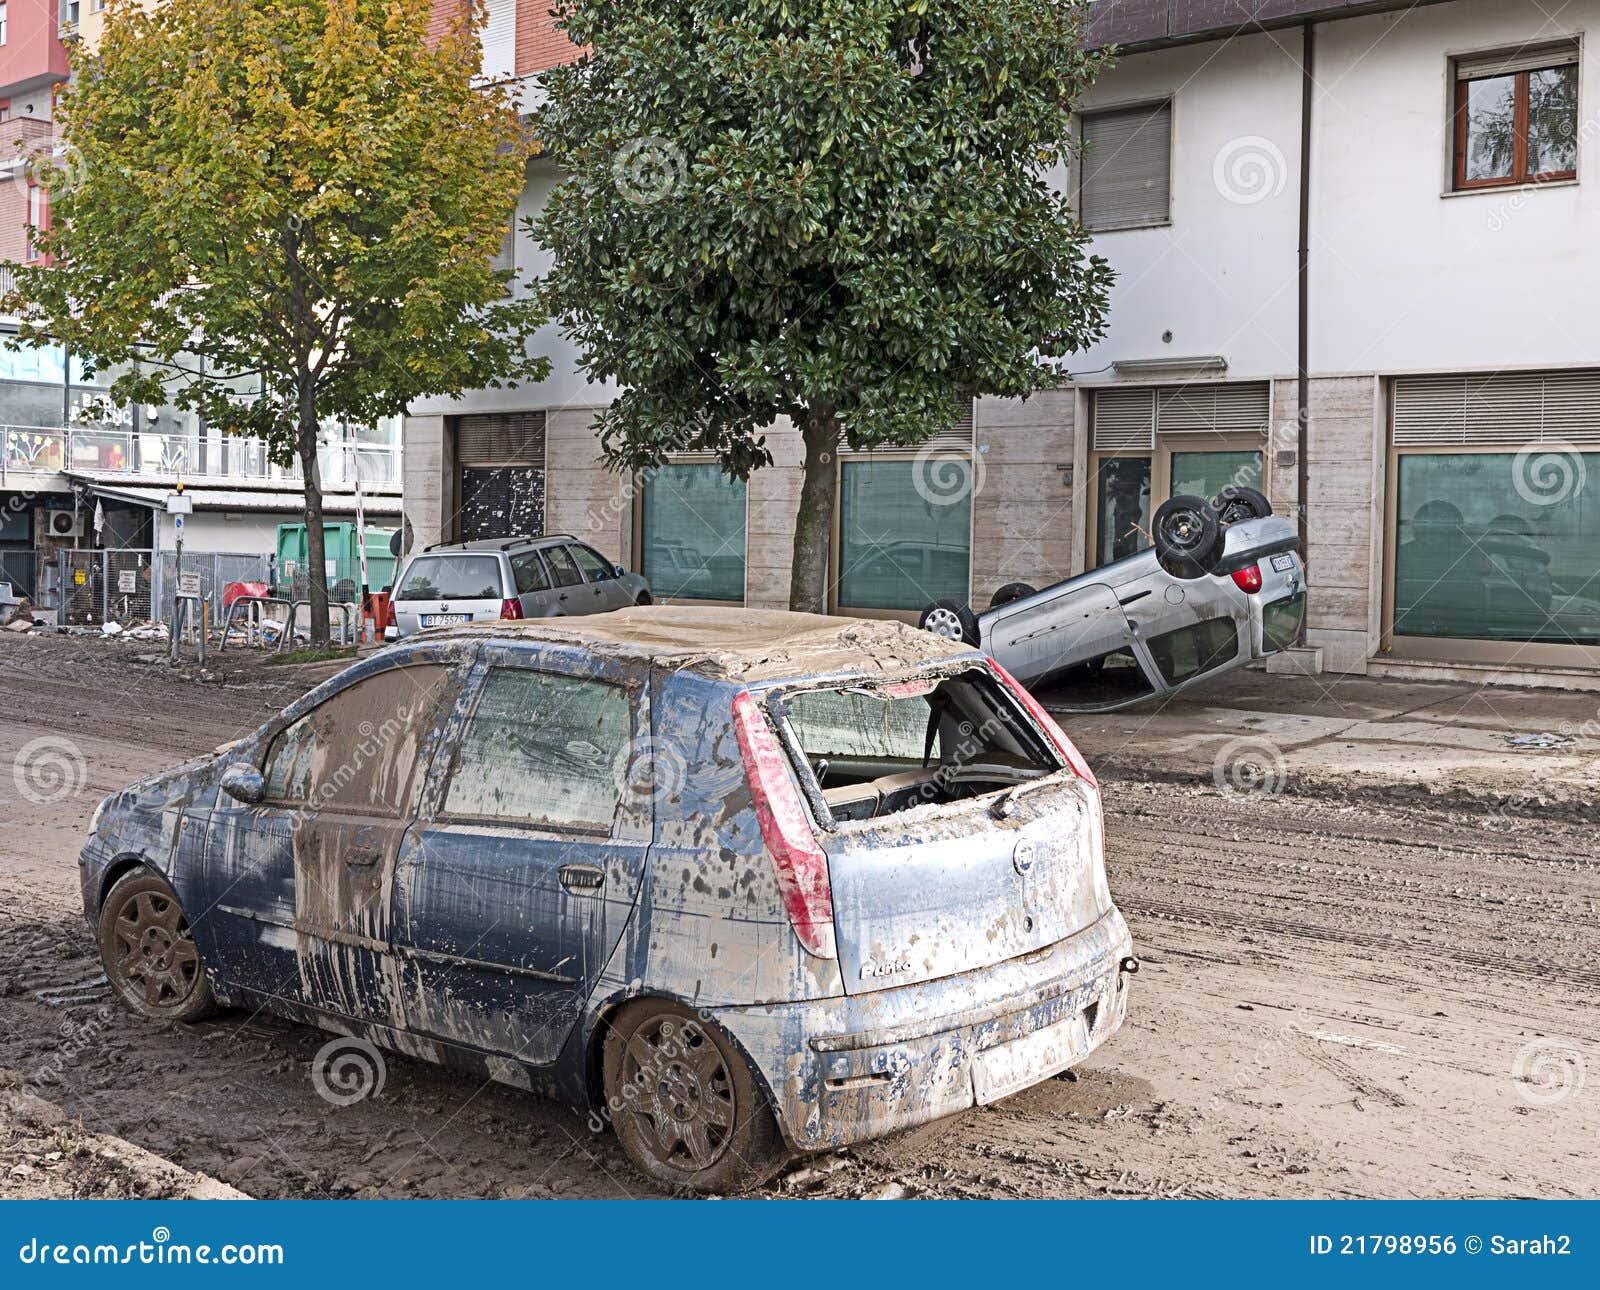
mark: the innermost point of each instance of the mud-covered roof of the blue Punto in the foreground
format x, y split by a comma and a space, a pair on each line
730, 643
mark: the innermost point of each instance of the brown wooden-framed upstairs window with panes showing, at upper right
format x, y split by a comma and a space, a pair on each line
1518, 118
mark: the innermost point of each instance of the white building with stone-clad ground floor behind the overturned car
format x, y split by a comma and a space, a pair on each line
1356, 263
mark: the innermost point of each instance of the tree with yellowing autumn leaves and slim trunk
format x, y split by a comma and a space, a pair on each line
310, 196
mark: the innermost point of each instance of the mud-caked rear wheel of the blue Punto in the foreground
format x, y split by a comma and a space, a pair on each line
684, 1104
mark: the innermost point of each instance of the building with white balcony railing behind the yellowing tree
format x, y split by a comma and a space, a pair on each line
79, 475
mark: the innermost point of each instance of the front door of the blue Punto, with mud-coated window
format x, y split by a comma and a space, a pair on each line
298, 887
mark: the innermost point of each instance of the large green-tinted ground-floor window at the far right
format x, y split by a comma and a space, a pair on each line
1500, 547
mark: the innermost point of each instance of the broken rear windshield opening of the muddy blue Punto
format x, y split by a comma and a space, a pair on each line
876, 750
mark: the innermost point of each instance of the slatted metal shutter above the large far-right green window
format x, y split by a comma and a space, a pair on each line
1511, 409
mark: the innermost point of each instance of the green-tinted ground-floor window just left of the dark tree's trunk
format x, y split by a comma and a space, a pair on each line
692, 532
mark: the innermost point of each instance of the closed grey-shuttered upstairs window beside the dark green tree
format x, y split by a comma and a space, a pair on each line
1126, 172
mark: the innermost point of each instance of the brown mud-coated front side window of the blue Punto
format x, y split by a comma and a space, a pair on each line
359, 750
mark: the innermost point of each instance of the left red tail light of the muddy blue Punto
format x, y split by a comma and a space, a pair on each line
798, 859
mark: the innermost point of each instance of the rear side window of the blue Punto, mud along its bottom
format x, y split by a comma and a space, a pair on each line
543, 750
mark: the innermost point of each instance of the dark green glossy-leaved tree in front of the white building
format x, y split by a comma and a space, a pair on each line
836, 212
